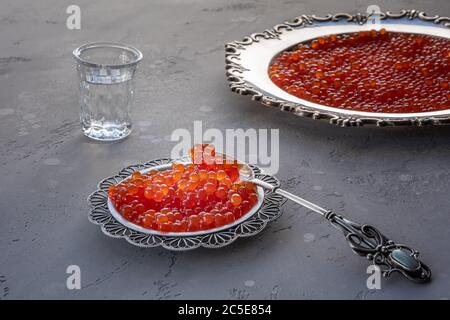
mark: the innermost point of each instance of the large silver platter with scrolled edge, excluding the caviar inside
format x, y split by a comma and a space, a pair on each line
247, 63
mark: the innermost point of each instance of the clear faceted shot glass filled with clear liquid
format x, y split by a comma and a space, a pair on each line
106, 80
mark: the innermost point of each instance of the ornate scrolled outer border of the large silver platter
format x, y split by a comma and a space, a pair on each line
238, 83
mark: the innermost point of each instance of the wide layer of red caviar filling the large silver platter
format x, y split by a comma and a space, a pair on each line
374, 71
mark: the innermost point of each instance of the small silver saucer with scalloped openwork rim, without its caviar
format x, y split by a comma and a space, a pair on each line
113, 224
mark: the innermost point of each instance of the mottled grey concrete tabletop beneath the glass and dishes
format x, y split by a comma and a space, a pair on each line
395, 178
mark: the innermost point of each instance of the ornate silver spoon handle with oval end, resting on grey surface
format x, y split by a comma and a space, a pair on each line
367, 241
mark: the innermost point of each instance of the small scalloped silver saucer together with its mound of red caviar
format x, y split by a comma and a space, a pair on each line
182, 204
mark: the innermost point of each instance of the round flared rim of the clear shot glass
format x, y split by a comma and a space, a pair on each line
92, 45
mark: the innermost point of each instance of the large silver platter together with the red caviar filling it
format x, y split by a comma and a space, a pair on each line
344, 69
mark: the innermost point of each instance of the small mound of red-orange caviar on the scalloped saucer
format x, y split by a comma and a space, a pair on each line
188, 197
